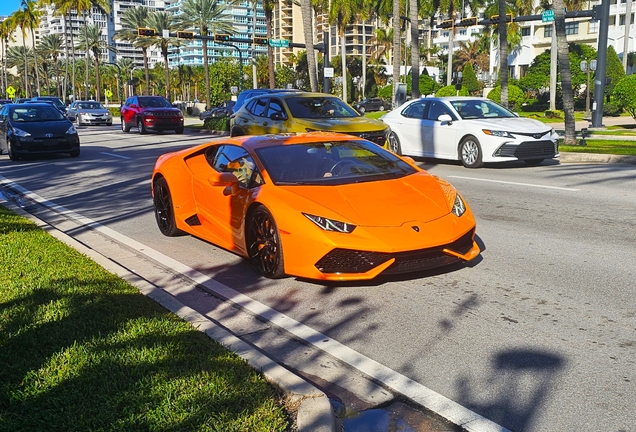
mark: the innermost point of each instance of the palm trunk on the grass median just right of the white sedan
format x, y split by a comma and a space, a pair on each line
563, 58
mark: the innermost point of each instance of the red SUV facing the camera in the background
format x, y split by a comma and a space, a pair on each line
150, 113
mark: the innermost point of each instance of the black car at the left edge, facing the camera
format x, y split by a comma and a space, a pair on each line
33, 128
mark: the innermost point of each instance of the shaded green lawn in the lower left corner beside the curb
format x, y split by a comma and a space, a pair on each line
82, 350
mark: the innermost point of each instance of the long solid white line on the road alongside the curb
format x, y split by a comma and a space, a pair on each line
399, 383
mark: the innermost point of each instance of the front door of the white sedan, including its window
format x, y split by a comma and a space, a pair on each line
439, 138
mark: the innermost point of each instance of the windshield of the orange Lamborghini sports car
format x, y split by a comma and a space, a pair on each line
326, 163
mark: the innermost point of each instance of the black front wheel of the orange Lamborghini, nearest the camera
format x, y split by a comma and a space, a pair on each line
263, 244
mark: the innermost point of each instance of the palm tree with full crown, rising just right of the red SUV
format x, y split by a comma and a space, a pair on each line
207, 16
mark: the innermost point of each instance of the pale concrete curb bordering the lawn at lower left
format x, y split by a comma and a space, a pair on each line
314, 412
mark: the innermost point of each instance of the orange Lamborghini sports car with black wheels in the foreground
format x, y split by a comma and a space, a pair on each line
315, 205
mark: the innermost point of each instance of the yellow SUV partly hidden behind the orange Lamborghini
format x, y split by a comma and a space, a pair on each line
273, 113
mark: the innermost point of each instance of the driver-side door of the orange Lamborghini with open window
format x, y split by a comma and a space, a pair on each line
221, 214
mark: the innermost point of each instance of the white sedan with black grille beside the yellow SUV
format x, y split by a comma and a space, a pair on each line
469, 129
